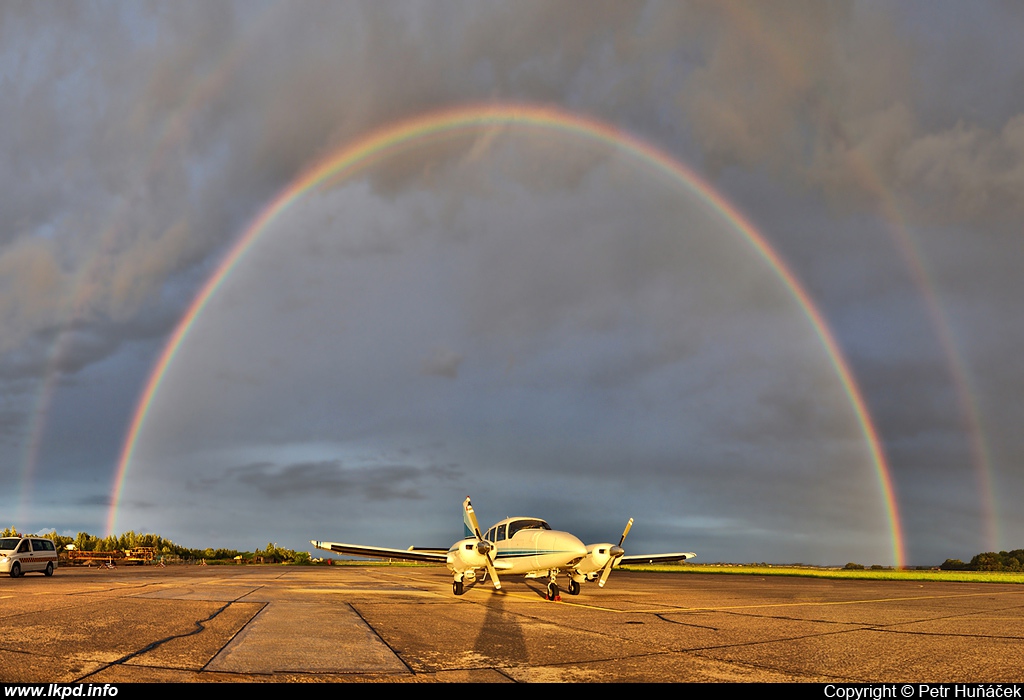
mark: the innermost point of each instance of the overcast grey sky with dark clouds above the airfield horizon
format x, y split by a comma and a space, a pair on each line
521, 313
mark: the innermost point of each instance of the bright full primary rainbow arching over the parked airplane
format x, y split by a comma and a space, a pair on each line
389, 140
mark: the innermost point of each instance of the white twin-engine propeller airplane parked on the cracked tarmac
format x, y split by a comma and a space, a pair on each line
517, 546
